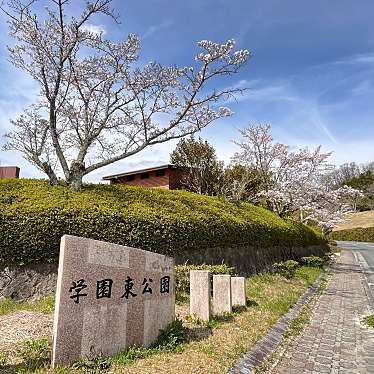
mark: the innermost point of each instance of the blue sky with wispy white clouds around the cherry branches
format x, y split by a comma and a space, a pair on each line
311, 75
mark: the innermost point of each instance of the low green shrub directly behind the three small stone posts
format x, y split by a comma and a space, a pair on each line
182, 275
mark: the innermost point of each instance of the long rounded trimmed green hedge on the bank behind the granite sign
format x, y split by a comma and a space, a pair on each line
34, 216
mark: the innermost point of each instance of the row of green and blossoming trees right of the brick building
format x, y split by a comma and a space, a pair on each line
301, 183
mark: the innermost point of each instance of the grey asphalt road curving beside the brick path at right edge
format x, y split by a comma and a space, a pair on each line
364, 255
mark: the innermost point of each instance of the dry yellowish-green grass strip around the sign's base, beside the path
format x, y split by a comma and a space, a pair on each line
213, 347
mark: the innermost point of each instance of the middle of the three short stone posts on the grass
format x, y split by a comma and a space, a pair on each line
222, 294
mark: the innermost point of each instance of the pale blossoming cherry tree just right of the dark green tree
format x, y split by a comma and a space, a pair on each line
286, 175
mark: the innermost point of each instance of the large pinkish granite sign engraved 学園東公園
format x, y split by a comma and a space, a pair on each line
109, 297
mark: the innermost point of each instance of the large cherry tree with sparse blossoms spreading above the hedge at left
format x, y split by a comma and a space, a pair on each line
97, 105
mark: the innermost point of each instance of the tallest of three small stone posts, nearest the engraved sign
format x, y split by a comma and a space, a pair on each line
200, 294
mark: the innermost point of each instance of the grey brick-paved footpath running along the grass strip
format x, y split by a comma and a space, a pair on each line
335, 341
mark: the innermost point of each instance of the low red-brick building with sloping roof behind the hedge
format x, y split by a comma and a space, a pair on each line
164, 176
